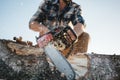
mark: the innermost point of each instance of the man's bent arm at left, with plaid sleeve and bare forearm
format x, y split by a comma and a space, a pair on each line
35, 22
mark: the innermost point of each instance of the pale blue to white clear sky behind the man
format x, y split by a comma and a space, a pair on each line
102, 18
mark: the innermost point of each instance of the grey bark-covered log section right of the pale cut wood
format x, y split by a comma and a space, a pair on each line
104, 67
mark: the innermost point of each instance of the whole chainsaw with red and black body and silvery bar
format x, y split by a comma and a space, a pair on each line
56, 41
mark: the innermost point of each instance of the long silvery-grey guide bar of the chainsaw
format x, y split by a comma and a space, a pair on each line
59, 61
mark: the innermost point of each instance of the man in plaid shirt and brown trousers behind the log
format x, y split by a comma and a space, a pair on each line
53, 13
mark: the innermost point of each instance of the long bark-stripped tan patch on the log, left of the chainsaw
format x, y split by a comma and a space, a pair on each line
20, 49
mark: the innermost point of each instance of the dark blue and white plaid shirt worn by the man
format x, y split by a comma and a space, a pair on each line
49, 15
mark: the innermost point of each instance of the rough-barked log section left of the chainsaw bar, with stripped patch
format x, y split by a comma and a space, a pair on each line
22, 62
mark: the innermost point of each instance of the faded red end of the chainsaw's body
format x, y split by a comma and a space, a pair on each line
44, 40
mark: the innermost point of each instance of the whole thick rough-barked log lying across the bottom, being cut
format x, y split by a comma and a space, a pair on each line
24, 62
